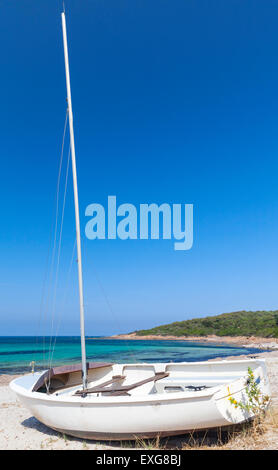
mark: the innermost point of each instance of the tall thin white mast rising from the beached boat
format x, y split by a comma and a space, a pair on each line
77, 221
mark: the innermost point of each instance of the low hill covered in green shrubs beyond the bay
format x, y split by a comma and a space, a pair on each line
260, 323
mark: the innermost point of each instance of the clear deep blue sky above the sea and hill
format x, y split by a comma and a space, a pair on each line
174, 101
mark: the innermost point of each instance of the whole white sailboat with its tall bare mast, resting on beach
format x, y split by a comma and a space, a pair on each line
107, 401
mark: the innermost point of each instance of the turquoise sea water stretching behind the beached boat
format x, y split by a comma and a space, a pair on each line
16, 353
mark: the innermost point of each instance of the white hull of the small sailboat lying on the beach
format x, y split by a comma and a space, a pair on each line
146, 413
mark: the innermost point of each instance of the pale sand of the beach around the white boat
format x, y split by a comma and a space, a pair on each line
20, 430
